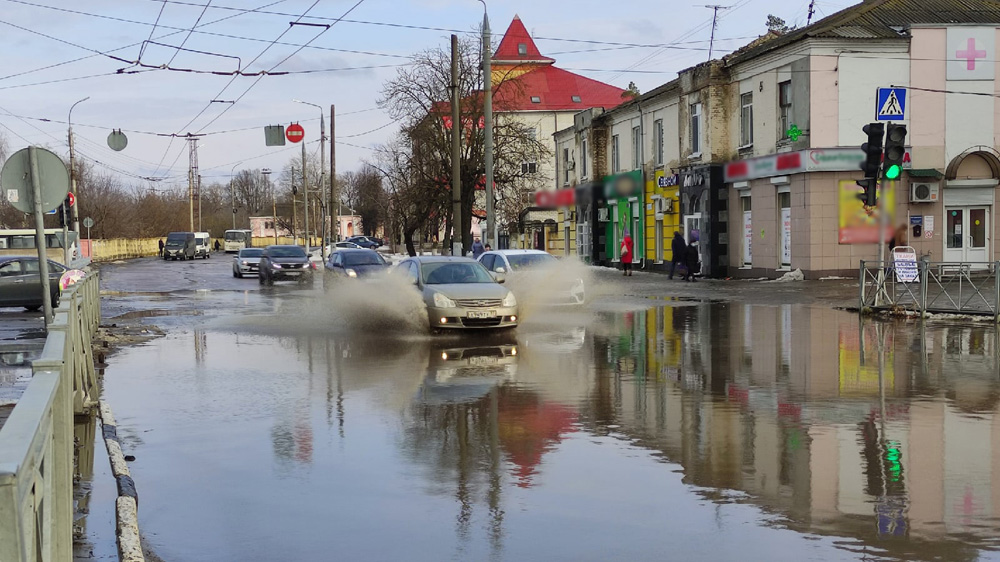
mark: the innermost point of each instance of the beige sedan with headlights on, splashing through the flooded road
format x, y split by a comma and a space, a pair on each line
460, 293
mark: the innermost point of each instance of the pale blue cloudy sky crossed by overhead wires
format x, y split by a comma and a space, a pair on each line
57, 52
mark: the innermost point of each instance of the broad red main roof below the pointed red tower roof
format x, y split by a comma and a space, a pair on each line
554, 88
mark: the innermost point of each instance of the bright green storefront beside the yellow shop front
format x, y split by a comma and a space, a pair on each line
625, 211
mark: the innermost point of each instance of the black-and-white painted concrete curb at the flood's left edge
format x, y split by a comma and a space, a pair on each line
127, 504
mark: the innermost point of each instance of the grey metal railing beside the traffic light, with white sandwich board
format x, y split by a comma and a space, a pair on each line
939, 287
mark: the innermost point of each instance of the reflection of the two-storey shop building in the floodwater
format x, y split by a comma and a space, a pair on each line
865, 429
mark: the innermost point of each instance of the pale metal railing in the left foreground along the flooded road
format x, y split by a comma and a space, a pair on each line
36, 442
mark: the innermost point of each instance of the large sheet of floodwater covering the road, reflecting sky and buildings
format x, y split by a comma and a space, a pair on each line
680, 431
